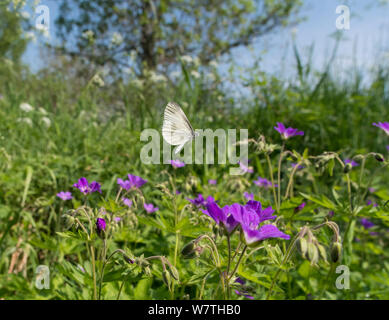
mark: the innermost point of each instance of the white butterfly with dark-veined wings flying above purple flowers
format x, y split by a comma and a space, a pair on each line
176, 128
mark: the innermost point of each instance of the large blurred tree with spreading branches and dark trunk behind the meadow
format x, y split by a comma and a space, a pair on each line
153, 34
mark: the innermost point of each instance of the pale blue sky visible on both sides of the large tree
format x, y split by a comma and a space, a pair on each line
366, 41
